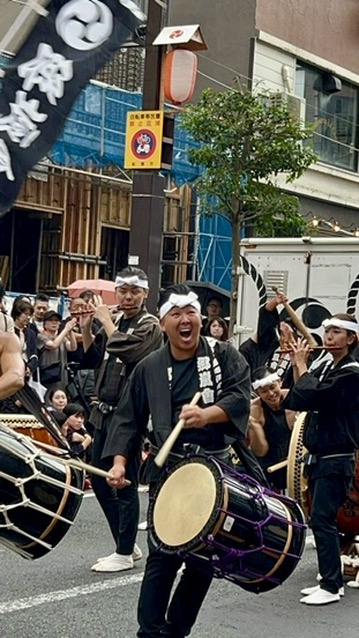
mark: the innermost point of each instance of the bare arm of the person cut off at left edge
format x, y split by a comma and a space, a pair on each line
11, 365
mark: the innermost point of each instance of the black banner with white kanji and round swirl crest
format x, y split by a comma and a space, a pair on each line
62, 53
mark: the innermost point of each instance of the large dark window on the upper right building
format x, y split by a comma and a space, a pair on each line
332, 109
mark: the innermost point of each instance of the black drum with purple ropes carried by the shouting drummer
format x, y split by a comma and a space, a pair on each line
225, 521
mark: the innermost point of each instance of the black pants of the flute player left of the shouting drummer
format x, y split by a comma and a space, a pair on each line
121, 507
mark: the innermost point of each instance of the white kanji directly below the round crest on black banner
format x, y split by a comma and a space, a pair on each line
49, 70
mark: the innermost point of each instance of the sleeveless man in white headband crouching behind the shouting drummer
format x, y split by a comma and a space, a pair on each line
270, 425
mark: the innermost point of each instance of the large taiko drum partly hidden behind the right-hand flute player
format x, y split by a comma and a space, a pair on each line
348, 515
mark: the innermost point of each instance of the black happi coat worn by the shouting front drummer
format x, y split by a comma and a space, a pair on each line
148, 396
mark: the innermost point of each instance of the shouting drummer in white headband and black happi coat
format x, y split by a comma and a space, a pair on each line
161, 387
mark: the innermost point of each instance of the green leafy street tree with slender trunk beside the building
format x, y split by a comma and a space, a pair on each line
244, 141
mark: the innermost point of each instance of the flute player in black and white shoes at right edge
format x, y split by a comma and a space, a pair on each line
330, 394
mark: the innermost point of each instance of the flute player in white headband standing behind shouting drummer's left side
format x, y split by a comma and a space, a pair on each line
123, 340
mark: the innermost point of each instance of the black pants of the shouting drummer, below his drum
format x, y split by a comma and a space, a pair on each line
156, 617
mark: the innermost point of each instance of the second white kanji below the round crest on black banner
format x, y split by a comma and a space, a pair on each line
20, 124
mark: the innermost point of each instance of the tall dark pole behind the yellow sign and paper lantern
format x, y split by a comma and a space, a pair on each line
148, 199
